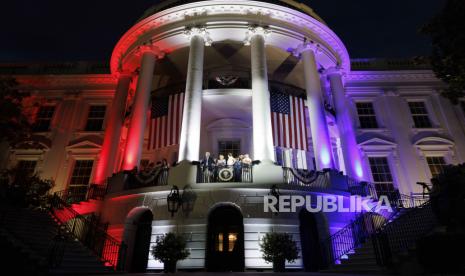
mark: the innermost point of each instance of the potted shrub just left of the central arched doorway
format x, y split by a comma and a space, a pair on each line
169, 249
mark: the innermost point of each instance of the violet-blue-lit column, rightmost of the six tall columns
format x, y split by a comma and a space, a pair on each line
352, 156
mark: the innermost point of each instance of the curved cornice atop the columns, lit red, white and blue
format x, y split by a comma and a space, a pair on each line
164, 27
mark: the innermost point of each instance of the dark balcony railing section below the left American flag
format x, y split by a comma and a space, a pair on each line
155, 177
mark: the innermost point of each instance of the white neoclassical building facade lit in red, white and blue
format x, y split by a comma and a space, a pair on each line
267, 79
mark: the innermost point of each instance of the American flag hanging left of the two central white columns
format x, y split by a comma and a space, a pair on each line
165, 121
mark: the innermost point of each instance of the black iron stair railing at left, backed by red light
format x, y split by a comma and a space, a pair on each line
88, 232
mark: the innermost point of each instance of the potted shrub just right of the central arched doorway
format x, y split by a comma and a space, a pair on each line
277, 248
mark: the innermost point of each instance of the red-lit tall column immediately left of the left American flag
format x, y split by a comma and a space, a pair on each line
135, 139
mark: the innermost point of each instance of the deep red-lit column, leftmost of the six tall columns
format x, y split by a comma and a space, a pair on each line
108, 154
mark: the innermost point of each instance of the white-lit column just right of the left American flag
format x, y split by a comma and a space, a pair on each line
189, 144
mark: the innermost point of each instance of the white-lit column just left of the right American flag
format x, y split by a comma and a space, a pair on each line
263, 148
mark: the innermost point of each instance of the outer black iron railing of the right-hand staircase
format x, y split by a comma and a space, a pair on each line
402, 233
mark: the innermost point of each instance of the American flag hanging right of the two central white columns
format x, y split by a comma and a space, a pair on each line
288, 121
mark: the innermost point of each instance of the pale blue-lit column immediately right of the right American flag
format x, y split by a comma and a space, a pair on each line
318, 126
